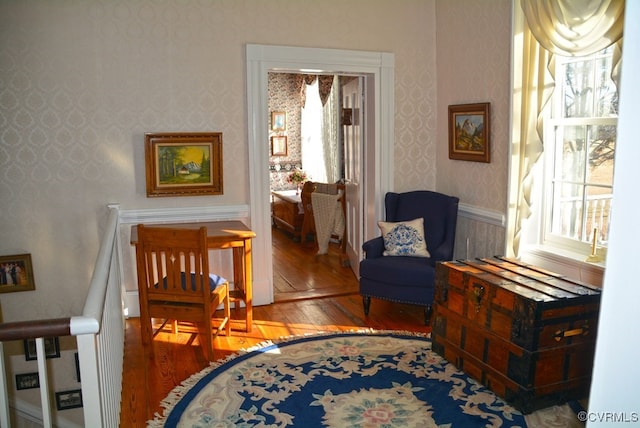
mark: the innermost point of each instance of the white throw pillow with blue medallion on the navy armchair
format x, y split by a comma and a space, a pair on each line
404, 238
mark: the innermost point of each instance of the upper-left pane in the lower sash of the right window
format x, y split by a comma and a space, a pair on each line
571, 162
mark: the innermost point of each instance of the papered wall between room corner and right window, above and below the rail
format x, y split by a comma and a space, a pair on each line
473, 66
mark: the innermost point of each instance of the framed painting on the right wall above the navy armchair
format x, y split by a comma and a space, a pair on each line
469, 137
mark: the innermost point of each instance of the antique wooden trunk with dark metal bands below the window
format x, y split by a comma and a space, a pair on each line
526, 333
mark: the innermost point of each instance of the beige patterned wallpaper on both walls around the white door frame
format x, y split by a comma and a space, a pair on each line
81, 81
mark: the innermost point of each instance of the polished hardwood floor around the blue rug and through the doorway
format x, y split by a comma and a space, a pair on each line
178, 356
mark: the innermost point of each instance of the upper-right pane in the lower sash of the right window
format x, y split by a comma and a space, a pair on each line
601, 156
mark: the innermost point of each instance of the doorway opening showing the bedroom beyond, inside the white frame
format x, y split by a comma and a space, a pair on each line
312, 135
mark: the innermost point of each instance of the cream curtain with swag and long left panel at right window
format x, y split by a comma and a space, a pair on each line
543, 28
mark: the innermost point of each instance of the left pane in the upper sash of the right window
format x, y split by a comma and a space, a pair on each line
578, 91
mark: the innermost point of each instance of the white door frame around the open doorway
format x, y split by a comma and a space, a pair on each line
261, 59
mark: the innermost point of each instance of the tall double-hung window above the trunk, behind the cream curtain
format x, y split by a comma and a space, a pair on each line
579, 141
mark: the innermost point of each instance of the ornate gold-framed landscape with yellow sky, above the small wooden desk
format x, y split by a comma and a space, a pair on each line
183, 164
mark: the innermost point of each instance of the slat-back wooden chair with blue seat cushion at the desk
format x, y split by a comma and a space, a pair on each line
174, 283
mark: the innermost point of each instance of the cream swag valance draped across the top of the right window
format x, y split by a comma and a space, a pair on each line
575, 27
